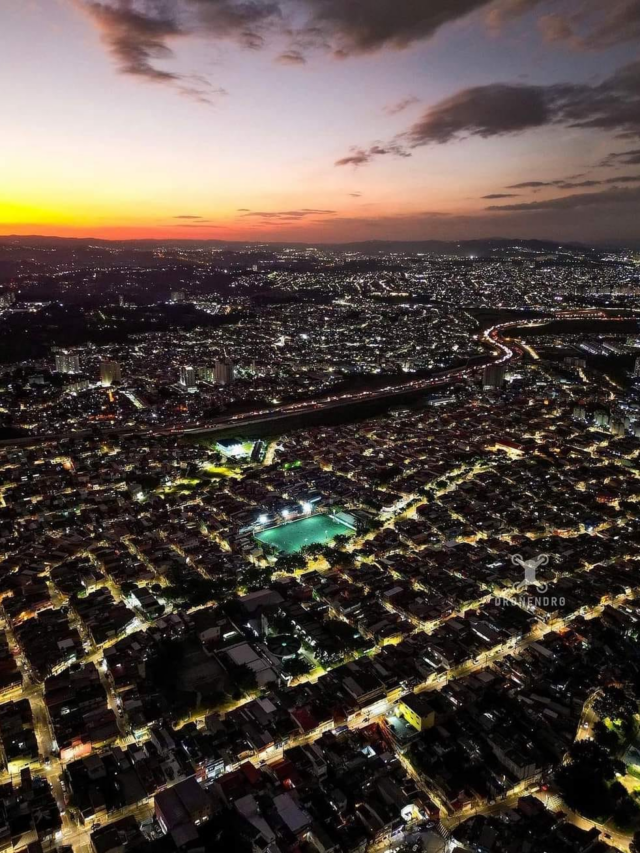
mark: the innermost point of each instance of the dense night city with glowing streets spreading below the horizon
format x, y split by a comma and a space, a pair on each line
354, 571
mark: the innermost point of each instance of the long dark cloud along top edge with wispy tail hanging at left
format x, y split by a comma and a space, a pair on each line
139, 33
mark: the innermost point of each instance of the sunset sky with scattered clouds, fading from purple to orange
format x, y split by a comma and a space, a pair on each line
321, 120
